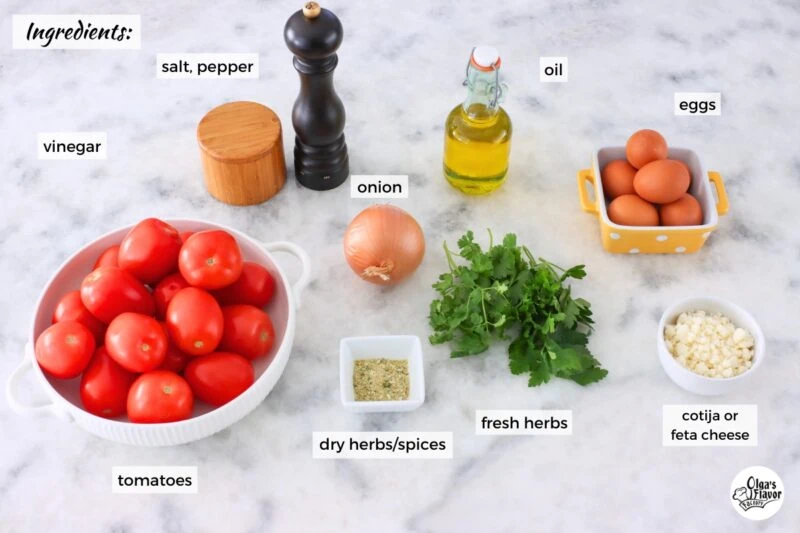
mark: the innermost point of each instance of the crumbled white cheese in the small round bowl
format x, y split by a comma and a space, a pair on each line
709, 344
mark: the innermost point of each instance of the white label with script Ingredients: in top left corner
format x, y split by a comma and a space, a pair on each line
76, 32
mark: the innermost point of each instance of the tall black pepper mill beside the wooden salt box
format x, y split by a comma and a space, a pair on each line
313, 35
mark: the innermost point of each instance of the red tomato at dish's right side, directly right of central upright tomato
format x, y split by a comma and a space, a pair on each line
247, 331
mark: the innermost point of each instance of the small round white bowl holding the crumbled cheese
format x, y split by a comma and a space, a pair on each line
688, 380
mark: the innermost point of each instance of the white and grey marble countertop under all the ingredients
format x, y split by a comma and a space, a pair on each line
400, 72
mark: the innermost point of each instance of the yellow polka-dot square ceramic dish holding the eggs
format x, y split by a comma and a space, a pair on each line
654, 239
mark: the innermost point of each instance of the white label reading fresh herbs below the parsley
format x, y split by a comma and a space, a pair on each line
523, 422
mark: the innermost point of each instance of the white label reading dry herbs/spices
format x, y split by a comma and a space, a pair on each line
382, 445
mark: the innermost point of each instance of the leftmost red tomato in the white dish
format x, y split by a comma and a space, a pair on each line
64, 349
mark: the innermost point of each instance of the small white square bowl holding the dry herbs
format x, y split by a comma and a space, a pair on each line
402, 347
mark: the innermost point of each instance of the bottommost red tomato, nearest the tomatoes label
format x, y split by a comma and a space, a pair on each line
159, 396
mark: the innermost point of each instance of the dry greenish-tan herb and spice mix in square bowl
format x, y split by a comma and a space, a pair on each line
380, 379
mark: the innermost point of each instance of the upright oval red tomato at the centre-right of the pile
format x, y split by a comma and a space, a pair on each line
194, 321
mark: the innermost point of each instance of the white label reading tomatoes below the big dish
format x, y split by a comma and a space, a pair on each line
154, 480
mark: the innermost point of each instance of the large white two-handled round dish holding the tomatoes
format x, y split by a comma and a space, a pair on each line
64, 395
